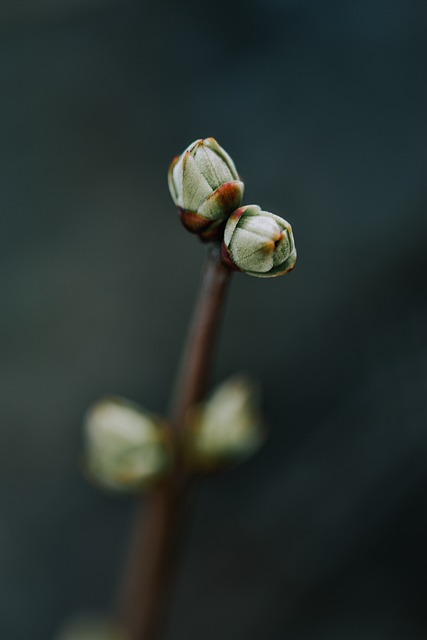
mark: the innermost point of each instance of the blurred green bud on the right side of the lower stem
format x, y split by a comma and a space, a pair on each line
228, 427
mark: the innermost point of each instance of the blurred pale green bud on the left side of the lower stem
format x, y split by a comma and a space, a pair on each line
126, 448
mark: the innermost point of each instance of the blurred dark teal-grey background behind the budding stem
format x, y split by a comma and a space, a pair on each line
322, 535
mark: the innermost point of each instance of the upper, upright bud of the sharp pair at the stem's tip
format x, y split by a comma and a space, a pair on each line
205, 187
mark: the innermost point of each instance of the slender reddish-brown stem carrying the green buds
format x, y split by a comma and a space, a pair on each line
159, 519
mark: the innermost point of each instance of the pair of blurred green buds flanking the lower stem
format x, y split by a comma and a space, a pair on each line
128, 449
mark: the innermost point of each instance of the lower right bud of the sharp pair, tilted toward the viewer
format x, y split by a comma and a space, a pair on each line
259, 243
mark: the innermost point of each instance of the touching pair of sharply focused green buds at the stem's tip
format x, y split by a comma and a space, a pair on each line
208, 192
